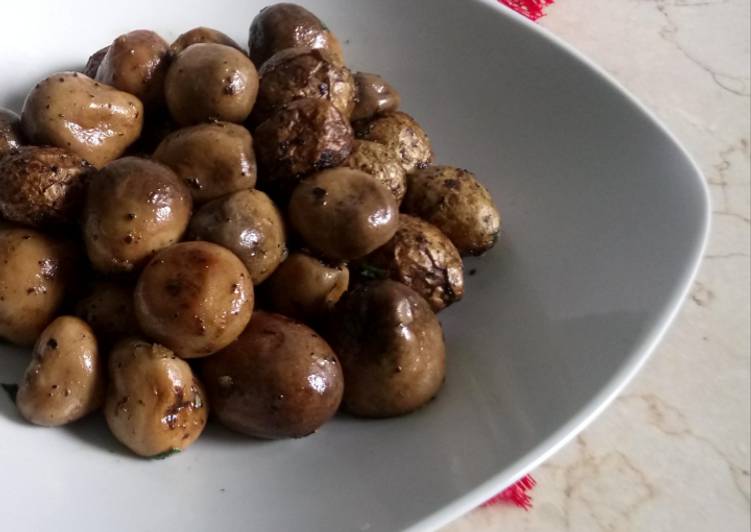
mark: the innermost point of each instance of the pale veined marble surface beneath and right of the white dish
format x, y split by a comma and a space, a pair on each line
672, 453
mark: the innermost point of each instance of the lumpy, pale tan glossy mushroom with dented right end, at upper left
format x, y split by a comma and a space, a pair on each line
72, 111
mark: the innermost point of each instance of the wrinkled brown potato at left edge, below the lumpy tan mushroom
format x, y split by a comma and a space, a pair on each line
42, 186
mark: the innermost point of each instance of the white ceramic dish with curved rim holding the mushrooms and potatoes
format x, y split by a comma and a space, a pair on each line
605, 219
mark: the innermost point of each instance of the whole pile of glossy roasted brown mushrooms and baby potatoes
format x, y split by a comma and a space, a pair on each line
263, 236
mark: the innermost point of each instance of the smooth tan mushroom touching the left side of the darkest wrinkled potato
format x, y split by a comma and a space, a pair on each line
213, 159
